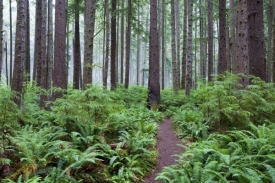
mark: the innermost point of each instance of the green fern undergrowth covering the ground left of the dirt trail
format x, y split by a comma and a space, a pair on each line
88, 136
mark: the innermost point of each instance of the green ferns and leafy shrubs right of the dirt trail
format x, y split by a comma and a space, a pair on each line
231, 130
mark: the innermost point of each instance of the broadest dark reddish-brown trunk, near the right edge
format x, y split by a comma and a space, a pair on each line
256, 54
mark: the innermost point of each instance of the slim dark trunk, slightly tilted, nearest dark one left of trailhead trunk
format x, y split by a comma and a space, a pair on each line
128, 44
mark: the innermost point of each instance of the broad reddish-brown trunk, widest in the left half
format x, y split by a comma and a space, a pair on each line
59, 71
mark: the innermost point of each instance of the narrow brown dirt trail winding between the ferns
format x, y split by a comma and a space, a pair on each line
167, 146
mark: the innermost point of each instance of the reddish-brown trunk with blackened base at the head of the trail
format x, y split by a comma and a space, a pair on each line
154, 86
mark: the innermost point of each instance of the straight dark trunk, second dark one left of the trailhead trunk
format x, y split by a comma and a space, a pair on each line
113, 47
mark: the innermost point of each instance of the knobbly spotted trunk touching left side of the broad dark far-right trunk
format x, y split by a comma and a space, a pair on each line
242, 51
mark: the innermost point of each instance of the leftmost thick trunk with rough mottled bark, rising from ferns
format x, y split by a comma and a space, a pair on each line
20, 49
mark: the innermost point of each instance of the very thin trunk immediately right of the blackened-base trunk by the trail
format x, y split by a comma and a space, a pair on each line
163, 45
